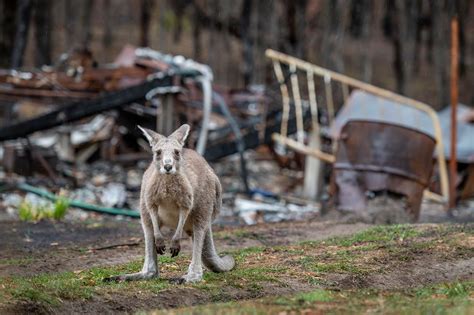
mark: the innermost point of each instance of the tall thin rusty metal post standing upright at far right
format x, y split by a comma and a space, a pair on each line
454, 105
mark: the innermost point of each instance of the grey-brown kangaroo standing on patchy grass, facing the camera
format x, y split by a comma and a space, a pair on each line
179, 190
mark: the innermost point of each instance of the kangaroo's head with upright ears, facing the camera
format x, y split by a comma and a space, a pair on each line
167, 150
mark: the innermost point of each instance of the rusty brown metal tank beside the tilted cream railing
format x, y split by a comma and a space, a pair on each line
378, 156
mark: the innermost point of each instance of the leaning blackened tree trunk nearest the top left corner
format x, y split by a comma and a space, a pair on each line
23, 14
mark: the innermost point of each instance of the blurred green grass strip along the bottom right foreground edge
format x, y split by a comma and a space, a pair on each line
431, 300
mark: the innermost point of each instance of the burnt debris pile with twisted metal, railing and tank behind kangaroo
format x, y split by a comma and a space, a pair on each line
314, 140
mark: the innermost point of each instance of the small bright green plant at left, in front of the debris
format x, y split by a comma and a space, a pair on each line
30, 212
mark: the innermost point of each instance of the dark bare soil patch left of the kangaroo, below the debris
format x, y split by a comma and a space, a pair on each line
29, 249
